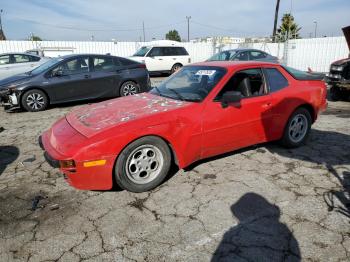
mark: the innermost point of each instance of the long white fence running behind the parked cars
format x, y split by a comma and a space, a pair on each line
316, 53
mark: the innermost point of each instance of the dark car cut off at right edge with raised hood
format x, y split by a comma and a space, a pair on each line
339, 74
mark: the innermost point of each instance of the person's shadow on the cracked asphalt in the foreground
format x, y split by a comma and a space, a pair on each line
259, 235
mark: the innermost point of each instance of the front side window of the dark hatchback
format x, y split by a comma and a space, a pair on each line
74, 66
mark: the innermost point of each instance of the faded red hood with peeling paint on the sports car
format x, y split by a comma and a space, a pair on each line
95, 118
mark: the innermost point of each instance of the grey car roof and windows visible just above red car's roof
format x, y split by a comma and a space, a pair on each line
244, 54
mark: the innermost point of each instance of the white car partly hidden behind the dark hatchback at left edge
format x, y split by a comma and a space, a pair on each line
17, 63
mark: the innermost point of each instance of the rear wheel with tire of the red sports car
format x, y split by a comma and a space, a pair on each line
290, 138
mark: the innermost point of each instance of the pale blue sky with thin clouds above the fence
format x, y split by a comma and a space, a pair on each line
122, 20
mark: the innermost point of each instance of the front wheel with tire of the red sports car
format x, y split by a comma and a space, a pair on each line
135, 173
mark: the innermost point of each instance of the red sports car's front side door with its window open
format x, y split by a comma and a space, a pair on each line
239, 124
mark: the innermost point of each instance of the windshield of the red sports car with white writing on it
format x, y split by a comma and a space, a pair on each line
191, 83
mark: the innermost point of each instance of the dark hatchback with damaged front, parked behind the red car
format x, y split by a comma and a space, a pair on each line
73, 78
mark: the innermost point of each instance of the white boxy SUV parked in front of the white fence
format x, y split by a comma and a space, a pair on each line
167, 59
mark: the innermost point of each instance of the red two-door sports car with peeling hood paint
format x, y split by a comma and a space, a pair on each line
203, 110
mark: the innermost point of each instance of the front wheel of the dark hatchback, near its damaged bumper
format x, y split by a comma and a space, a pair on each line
34, 100
